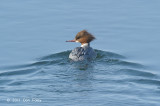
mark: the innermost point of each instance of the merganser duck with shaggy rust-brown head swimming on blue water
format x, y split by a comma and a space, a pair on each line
85, 52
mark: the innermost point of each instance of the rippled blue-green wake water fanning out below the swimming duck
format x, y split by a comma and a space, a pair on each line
54, 79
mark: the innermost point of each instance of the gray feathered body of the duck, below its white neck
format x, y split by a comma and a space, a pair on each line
82, 53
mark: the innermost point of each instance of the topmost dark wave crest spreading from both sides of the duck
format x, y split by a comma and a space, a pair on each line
61, 58
